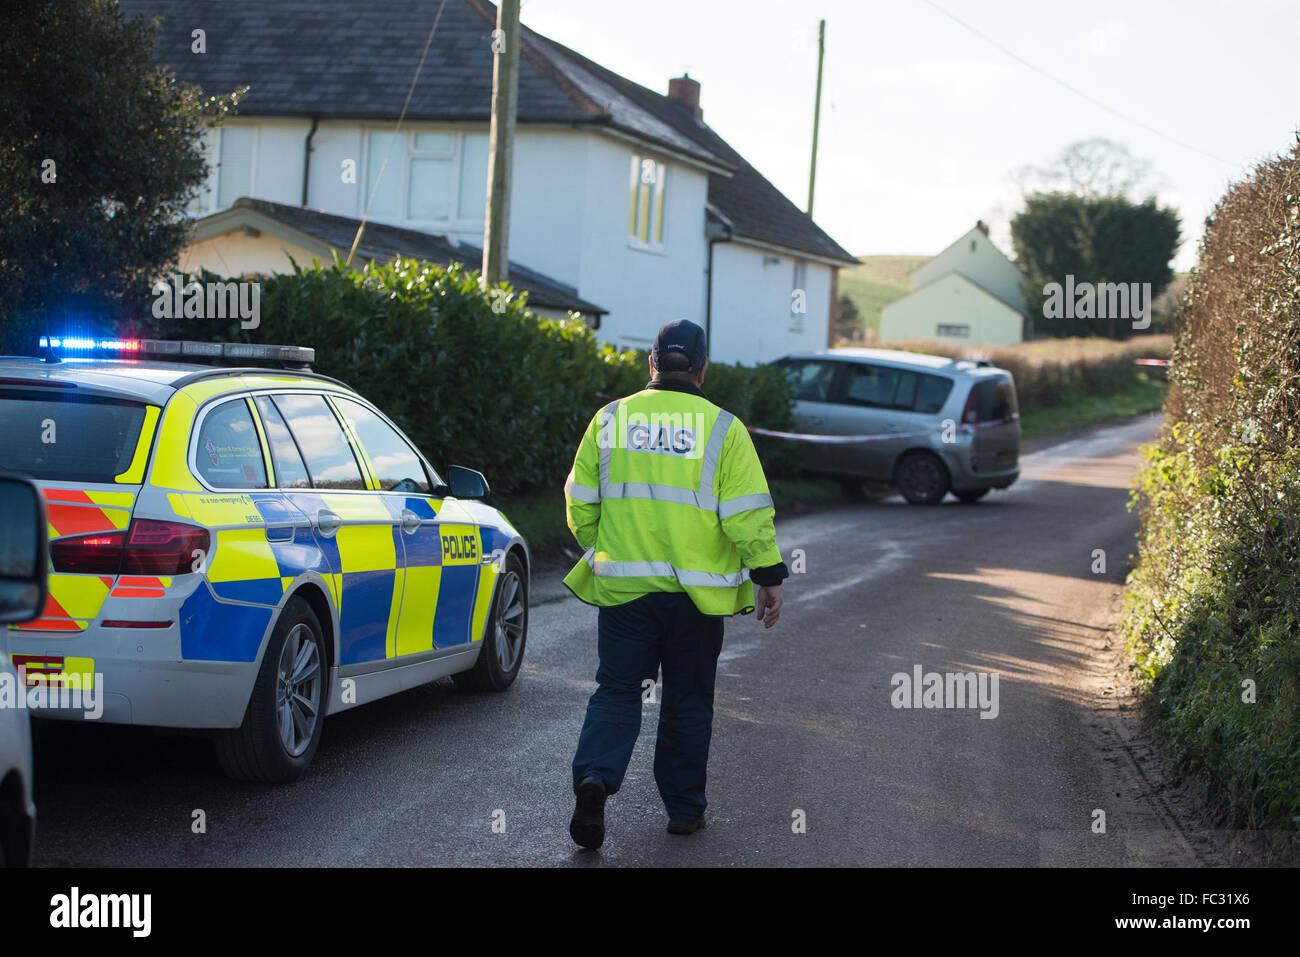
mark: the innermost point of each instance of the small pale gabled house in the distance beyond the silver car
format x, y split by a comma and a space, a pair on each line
970, 293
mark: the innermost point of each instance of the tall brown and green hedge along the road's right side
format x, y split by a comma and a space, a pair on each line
1214, 608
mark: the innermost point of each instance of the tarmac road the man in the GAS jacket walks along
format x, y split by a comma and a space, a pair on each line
812, 763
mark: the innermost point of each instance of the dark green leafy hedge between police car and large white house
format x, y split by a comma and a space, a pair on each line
475, 379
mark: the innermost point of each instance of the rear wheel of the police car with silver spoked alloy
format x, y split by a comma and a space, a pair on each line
283, 724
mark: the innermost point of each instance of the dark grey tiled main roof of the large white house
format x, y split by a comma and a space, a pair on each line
353, 59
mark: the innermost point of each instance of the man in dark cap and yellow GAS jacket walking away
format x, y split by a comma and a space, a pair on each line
669, 499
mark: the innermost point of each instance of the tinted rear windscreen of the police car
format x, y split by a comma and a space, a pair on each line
68, 439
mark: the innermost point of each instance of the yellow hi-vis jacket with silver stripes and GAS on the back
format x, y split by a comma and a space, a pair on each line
668, 495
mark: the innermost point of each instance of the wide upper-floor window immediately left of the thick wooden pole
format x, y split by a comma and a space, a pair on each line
427, 177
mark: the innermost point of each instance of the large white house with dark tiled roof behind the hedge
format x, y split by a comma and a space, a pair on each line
626, 206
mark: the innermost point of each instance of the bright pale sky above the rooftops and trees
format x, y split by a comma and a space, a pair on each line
924, 122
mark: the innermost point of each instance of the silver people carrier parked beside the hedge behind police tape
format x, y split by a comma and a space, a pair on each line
931, 426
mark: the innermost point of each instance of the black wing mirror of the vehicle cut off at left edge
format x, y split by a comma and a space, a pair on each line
23, 551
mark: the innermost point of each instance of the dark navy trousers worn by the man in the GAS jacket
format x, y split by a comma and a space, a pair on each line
635, 639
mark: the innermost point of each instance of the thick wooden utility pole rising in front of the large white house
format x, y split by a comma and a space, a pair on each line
501, 142
